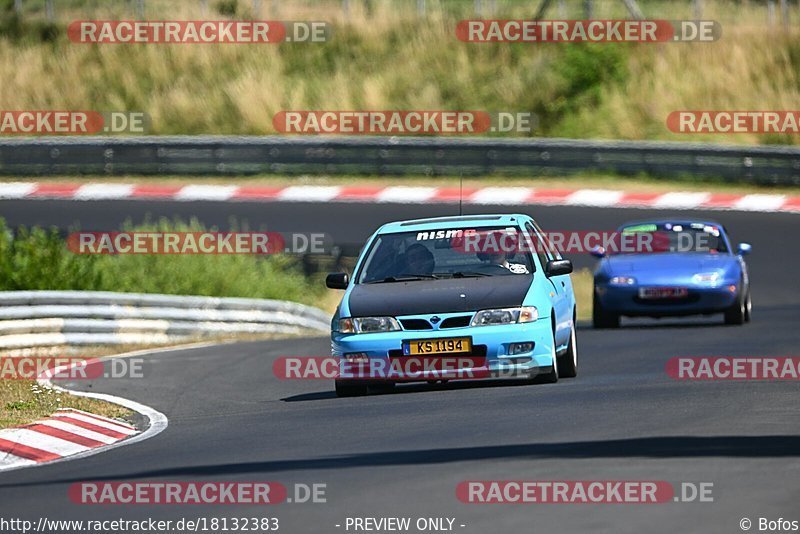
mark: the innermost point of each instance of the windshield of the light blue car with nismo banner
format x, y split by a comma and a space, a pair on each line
441, 253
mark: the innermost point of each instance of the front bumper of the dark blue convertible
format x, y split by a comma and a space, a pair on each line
625, 300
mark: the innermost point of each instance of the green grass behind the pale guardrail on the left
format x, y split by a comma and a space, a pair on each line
38, 258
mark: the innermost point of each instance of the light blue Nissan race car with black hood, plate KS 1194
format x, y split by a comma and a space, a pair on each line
486, 291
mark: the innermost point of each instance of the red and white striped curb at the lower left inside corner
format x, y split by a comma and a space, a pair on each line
65, 433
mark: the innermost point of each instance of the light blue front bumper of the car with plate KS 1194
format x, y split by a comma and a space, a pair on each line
490, 351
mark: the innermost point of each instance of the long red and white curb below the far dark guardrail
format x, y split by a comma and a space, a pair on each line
512, 196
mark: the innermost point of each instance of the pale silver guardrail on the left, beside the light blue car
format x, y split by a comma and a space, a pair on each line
52, 318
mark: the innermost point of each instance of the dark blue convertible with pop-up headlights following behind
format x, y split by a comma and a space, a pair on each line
688, 268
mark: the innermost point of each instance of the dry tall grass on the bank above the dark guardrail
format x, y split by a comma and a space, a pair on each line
390, 58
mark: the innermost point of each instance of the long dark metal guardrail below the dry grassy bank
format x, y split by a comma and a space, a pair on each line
221, 155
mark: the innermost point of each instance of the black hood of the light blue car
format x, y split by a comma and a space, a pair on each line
438, 296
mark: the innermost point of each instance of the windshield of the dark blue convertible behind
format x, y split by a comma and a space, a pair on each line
673, 237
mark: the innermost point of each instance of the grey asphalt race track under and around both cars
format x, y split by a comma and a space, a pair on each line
403, 454
